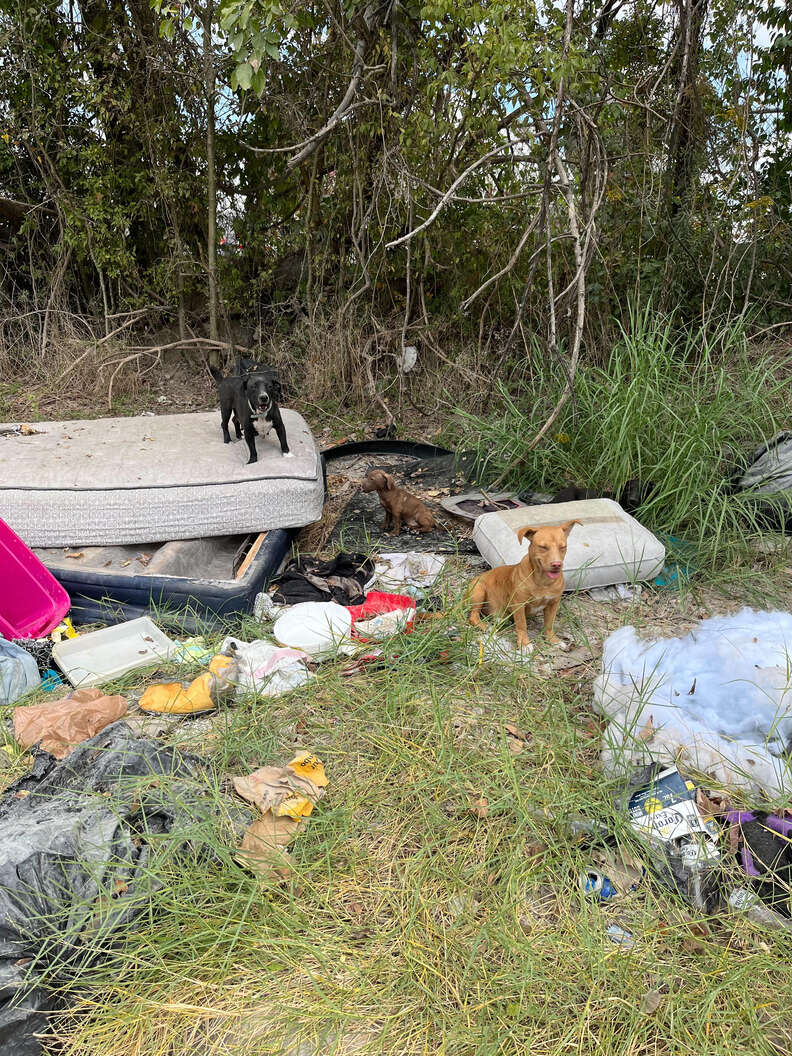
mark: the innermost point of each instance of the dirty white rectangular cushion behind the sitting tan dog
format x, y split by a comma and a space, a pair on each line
609, 548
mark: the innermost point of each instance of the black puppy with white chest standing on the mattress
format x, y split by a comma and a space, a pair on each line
249, 395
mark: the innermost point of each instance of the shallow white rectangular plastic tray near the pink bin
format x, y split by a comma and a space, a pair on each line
101, 656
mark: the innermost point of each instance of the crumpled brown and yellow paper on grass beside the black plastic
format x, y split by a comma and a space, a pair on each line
286, 797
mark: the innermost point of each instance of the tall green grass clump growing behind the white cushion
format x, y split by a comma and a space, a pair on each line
672, 408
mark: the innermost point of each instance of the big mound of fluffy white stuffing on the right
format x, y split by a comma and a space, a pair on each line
719, 701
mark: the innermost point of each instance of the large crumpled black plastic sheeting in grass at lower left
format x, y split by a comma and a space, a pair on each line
79, 840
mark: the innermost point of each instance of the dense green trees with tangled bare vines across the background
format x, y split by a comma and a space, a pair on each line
526, 169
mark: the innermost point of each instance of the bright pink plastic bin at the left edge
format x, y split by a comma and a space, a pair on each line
32, 601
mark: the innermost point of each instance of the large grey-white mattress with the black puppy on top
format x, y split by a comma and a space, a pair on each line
125, 481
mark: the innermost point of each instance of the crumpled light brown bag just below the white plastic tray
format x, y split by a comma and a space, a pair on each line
60, 726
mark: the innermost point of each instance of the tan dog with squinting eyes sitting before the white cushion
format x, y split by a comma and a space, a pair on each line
533, 586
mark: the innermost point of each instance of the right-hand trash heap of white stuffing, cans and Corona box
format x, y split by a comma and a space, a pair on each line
697, 727
